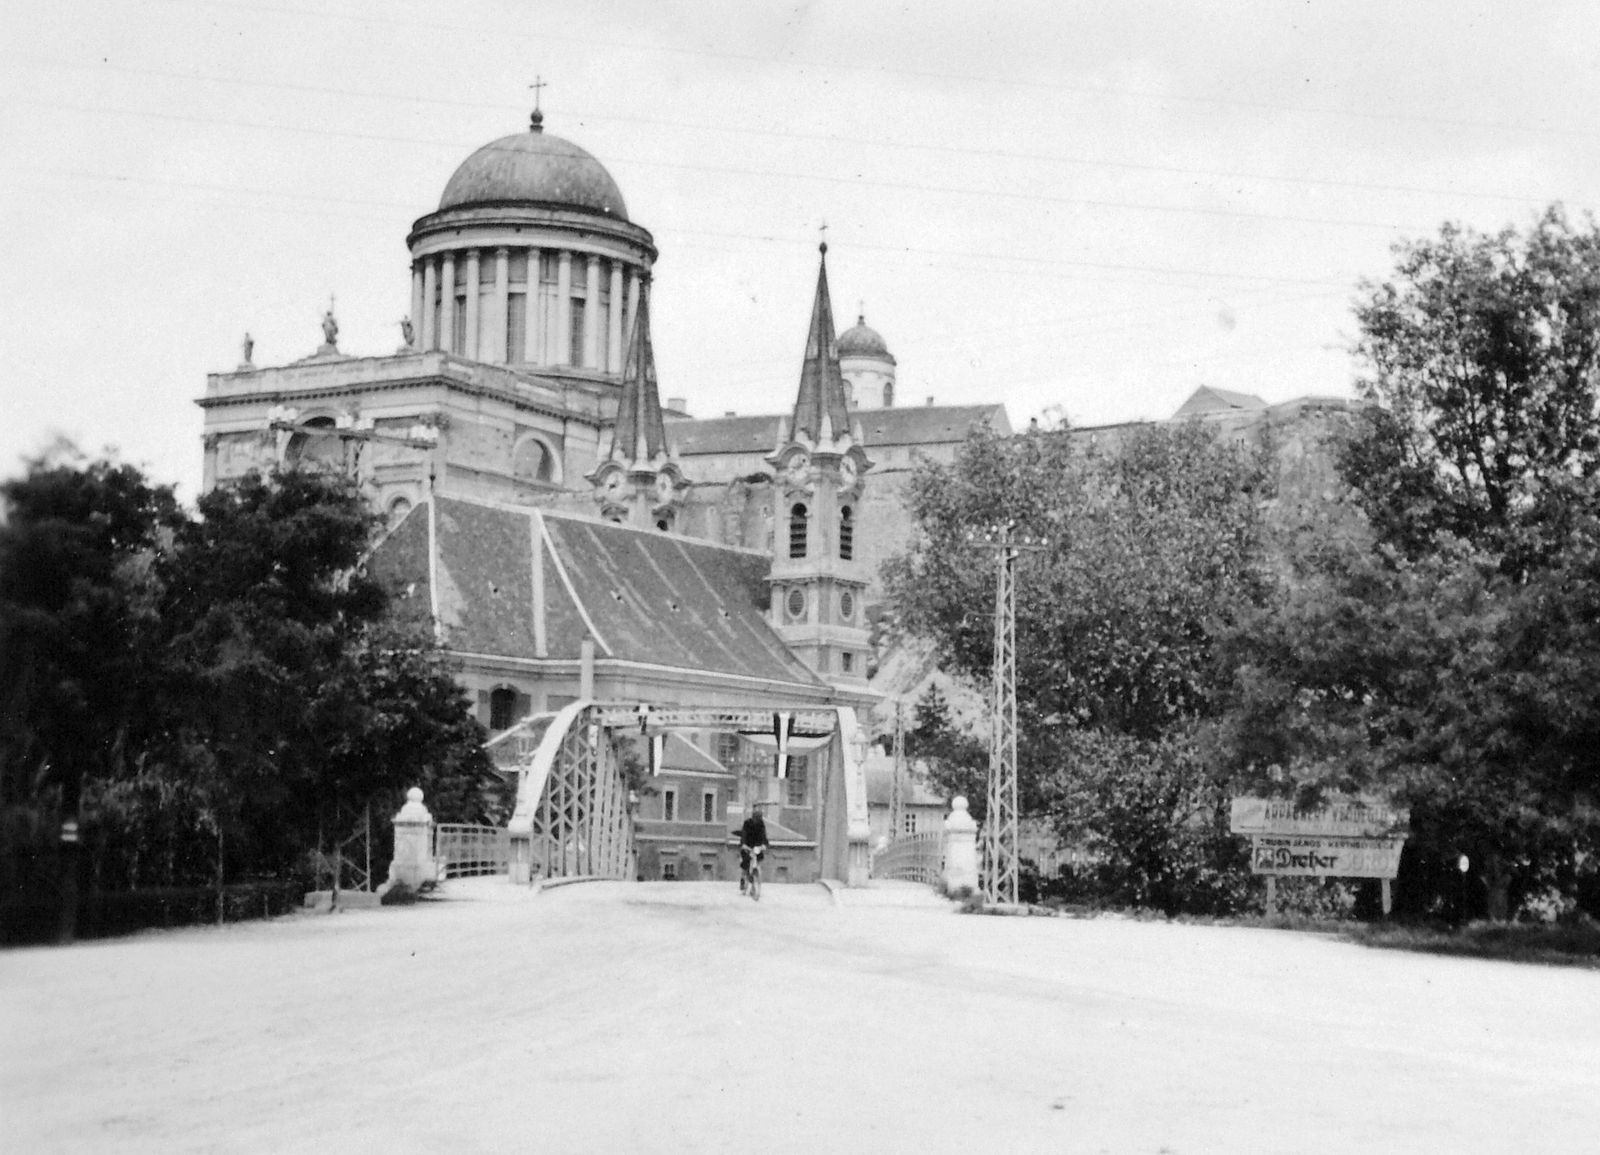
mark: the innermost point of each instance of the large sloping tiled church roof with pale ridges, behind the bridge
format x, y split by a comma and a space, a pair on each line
646, 597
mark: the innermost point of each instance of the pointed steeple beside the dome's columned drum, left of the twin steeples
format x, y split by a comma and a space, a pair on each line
639, 482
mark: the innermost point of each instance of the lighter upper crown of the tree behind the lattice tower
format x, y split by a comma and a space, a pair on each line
1153, 543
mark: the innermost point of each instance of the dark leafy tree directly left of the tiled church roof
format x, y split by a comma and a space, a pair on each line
297, 693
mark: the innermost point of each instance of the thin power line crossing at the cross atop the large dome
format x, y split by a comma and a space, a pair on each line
823, 138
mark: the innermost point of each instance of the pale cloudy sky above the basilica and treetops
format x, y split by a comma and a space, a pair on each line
1081, 206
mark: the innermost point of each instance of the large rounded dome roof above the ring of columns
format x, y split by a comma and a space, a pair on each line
538, 169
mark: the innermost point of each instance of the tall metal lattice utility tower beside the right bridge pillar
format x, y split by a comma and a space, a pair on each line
1001, 820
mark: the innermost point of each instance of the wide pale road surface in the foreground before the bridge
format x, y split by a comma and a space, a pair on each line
682, 1018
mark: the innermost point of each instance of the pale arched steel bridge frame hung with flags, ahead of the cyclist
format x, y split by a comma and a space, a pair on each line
575, 812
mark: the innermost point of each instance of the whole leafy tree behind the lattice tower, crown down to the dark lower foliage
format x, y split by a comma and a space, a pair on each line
1154, 545
